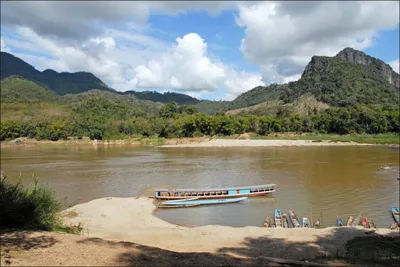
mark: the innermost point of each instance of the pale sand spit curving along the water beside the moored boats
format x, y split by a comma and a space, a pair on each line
131, 219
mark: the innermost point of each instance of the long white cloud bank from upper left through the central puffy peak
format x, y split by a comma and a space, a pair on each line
184, 66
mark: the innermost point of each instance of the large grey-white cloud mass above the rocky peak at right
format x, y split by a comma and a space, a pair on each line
281, 37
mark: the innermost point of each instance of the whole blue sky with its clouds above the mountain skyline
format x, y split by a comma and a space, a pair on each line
213, 50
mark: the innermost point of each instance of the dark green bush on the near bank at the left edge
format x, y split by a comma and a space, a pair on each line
30, 208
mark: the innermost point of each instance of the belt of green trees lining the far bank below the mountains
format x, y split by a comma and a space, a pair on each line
104, 119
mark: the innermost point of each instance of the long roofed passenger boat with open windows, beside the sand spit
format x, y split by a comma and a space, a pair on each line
230, 192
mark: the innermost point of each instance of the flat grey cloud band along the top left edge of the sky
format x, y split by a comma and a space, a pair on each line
82, 19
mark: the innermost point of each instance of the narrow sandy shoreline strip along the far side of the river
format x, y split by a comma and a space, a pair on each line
243, 140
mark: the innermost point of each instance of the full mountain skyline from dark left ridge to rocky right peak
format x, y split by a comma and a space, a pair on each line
351, 77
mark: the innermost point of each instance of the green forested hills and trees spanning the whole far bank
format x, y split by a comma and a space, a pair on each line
334, 95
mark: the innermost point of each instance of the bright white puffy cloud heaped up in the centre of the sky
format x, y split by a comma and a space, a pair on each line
188, 68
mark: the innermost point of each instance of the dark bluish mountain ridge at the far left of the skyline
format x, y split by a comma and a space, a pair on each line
61, 83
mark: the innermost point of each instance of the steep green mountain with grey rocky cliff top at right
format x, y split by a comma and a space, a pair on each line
351, 77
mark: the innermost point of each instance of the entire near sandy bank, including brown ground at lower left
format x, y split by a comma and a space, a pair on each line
117, 226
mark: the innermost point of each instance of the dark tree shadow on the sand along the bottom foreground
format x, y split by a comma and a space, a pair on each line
363, 248
